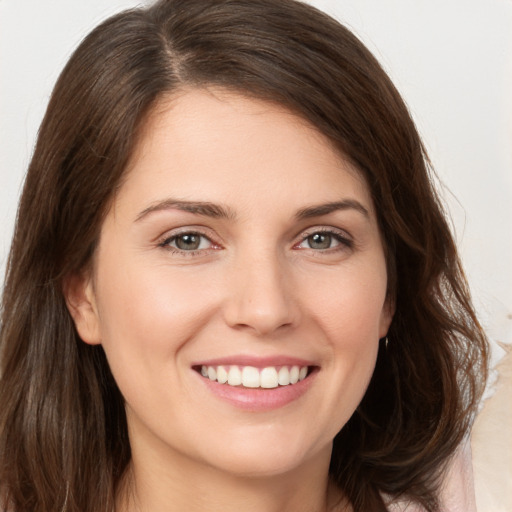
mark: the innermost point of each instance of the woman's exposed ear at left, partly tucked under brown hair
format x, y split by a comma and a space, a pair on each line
80, 298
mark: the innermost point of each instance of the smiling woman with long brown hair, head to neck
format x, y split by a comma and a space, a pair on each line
241, 289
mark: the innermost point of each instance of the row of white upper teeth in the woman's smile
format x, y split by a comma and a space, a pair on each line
251, 377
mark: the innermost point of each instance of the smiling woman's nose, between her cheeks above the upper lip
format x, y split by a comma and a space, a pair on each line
259, 295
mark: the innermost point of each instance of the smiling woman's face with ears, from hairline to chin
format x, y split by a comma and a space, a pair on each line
239, 287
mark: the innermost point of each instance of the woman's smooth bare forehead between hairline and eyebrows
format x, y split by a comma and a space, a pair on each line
202, 140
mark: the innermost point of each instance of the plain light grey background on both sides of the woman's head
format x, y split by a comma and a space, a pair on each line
451, 60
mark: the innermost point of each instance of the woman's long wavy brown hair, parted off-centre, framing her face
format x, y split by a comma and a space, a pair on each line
63, 433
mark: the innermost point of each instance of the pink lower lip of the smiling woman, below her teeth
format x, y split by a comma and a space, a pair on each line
259, 399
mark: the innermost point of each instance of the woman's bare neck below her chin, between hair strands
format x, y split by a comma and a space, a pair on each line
151, 485
